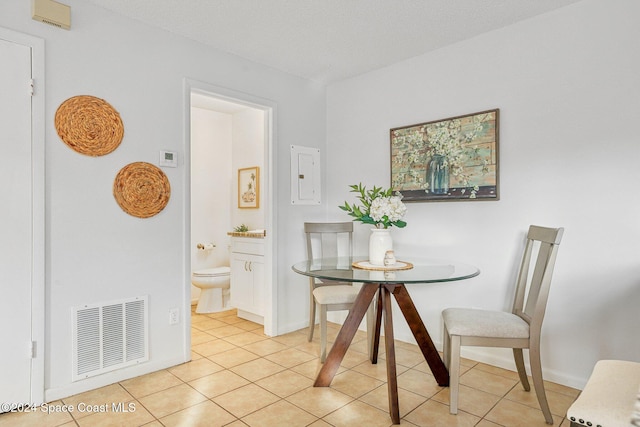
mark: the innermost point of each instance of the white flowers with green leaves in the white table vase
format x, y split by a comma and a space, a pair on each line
381, 208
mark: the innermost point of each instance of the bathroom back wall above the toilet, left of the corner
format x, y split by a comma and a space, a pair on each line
211, 188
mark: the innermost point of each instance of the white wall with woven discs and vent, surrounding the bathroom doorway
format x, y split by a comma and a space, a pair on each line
96, 252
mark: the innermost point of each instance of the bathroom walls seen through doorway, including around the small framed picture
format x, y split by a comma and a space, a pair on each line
221, 143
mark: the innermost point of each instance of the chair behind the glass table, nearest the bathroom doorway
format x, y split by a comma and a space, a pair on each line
328, 240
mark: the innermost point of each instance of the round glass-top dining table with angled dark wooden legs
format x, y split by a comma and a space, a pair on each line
384, 282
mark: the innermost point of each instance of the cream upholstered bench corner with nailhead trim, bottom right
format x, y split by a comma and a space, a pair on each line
610, 396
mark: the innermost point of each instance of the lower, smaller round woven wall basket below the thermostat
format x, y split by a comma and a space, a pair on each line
141, 189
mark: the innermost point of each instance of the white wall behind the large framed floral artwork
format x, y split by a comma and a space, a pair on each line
568, 91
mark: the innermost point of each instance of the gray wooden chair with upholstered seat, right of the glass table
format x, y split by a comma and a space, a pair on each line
519, 329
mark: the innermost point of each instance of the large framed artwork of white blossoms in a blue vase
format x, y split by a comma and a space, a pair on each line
448, 159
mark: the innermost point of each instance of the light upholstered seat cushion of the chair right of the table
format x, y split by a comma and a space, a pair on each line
471, 322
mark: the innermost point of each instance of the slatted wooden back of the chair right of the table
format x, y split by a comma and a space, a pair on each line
532, 290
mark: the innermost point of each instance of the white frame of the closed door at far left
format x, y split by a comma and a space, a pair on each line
38, 204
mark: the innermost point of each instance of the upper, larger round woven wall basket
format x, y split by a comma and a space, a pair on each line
89, 125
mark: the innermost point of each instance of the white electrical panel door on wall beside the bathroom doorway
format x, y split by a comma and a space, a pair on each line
305, 176
